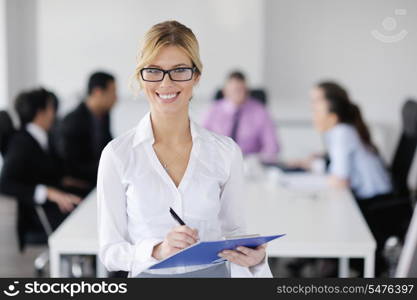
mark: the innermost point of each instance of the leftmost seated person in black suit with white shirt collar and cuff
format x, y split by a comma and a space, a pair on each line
32, 172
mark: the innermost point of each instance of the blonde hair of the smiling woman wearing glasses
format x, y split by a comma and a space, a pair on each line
168, 33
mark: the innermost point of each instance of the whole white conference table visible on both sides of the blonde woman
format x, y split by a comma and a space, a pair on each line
317, 223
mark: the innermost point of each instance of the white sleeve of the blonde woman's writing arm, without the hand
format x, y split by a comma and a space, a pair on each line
117, 251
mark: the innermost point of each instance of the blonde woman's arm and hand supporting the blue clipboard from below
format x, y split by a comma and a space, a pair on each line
245, 262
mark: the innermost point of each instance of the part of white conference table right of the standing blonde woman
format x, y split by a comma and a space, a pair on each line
319, 223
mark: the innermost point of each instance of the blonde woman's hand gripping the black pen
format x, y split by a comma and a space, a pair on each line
178, 238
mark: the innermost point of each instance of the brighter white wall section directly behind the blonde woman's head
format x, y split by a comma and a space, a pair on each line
76, 37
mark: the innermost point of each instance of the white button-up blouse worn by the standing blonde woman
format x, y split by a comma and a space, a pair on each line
135, 192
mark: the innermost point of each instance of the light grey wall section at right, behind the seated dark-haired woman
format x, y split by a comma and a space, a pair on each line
307, 41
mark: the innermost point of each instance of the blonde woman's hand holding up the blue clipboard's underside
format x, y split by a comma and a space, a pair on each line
245, 257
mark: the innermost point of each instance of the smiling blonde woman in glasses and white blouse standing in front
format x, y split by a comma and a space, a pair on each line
170, 161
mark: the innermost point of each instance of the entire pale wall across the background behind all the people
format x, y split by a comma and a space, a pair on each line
283, 44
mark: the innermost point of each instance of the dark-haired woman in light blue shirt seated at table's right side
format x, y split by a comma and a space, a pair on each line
354, 161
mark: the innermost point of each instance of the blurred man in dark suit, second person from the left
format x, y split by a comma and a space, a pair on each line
85, 131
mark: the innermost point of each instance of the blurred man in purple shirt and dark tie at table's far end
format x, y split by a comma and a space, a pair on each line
244, 119
